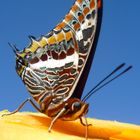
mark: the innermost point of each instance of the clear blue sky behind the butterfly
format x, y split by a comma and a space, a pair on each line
119, 42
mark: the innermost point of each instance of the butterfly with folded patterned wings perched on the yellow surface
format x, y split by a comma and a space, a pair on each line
55, 67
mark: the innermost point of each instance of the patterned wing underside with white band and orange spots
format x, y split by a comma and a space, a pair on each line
54, 64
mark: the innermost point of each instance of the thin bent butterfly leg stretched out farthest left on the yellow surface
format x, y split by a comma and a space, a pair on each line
21, 106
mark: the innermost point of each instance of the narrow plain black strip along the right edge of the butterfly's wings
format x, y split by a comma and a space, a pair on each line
97, 26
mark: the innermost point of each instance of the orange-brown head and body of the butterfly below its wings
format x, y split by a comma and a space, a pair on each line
74, 109
